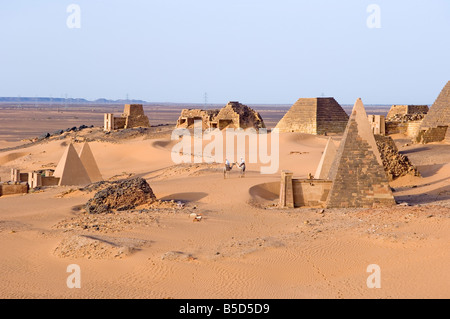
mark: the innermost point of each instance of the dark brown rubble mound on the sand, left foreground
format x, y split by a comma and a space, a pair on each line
122, 195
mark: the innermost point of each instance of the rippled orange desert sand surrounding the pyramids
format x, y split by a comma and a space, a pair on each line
242, 248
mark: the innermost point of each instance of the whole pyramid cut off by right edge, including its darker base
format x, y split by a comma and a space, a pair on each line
434, 127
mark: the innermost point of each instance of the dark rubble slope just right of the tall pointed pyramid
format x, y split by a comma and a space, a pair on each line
395, 164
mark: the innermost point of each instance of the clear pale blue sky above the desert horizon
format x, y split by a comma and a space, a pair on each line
253, 51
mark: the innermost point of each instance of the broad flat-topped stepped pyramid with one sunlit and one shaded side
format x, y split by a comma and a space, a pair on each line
314, 116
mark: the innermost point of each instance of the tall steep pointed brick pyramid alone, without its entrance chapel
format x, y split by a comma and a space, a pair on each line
358, 176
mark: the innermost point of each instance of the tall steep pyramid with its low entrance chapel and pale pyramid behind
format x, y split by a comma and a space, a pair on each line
355, 178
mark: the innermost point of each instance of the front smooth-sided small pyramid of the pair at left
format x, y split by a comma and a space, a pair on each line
71, 170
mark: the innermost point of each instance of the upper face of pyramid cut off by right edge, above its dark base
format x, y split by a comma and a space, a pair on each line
439, 113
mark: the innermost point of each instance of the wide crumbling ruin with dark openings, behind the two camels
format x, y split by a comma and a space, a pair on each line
234, 115
